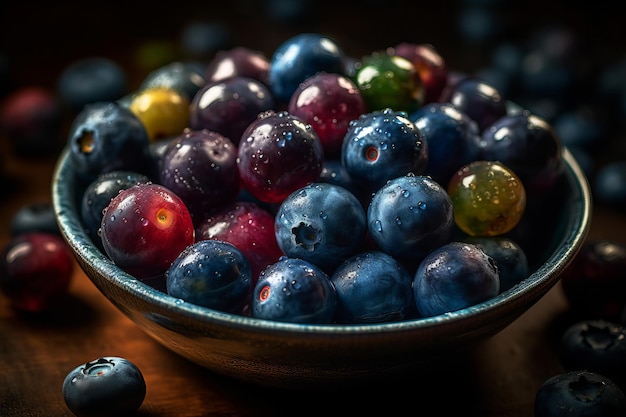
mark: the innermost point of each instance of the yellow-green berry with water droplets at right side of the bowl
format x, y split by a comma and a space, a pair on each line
489, 199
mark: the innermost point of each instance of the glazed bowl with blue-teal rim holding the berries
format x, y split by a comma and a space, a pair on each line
299, 355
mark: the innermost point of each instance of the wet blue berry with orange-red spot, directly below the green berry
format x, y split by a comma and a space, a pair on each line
382, 145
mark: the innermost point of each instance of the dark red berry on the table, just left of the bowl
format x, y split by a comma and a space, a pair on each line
35, 271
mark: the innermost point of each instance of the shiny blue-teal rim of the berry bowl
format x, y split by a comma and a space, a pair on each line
542, 279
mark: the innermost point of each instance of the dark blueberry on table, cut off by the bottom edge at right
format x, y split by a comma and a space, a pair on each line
579, 393
